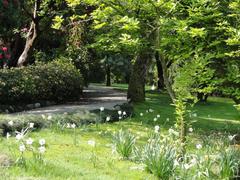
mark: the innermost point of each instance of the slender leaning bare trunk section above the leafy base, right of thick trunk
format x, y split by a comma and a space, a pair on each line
166, 80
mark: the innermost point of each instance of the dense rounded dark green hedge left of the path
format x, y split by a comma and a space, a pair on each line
56, 81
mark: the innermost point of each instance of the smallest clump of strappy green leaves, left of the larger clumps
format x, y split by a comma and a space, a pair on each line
124, 143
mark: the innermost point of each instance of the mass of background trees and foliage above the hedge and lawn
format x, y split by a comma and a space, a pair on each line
195, 44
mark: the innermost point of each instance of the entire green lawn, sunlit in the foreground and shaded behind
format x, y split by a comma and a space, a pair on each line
64, 160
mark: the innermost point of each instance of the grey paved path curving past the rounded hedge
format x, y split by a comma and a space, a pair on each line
93, 98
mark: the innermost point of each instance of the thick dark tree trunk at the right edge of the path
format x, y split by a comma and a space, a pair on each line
136, 88
